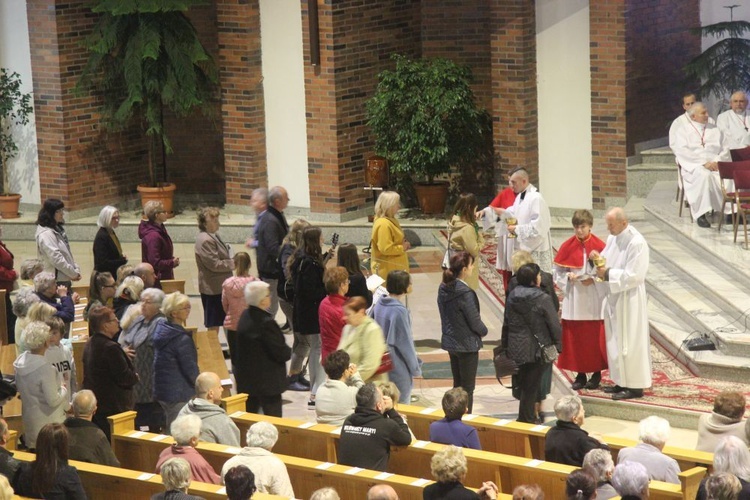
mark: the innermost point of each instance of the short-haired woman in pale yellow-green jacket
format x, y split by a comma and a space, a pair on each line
364, 342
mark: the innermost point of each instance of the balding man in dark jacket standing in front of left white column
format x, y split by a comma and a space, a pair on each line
270, 231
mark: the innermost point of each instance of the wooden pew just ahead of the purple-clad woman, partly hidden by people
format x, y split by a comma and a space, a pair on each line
527, 440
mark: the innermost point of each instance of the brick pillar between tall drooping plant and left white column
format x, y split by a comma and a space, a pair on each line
242, 109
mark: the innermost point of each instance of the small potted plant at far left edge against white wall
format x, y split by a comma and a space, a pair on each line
15, 109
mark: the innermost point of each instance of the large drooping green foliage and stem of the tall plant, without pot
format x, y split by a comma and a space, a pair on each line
145, 57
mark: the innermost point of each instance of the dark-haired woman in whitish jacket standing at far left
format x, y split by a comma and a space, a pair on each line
52, 243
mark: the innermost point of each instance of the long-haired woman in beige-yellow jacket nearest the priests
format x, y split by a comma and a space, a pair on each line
463, 234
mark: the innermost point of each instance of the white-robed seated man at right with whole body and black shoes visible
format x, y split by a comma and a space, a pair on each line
698, 147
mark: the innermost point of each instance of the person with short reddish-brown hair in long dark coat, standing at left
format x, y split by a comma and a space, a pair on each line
107, 370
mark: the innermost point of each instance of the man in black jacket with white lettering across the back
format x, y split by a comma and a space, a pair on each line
368, 433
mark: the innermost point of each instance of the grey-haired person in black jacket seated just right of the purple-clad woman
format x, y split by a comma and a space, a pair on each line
567, 443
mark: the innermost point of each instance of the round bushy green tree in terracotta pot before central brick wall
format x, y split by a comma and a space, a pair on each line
426, 121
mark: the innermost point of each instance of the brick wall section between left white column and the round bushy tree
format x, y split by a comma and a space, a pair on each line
356, 40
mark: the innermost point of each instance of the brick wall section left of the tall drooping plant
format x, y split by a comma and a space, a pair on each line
78, 162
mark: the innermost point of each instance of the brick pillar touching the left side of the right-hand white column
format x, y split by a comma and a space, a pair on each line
514, 103
